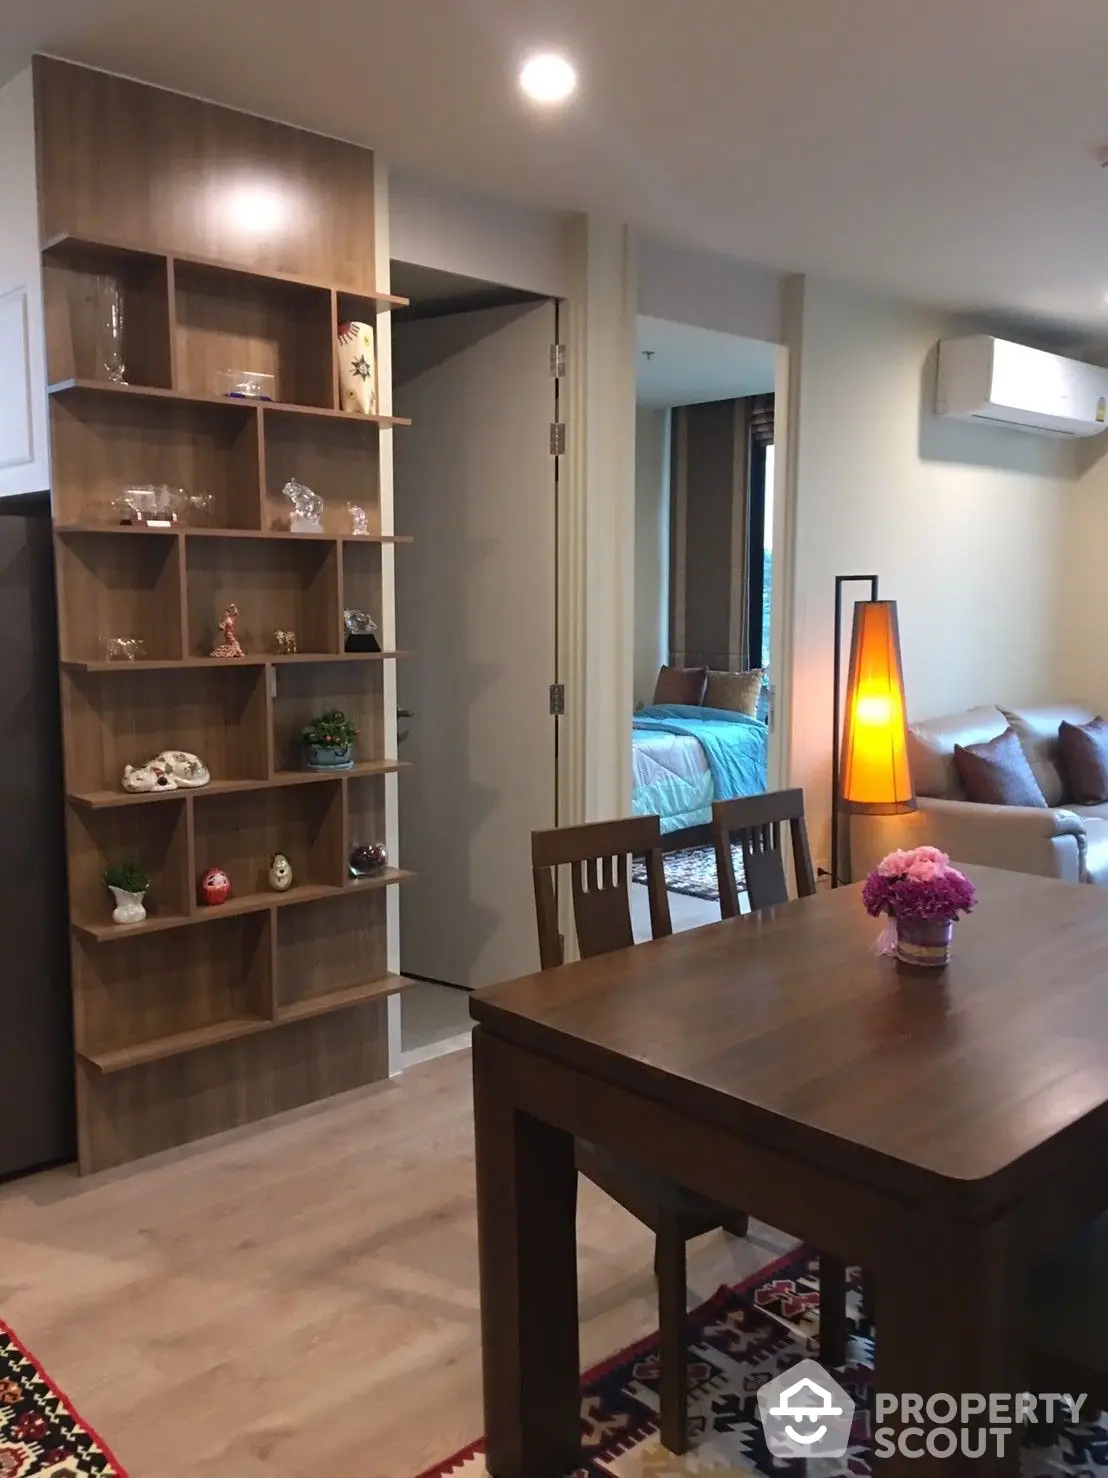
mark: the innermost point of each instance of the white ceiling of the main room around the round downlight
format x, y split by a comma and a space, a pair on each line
943, 151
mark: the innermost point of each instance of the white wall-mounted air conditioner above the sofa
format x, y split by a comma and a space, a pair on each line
998, 384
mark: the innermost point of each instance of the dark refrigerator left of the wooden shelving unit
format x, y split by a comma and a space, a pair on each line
36, 1018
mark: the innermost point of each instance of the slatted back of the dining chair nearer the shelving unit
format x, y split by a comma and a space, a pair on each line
601, 876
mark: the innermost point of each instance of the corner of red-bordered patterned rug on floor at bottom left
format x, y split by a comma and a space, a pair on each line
41, 1434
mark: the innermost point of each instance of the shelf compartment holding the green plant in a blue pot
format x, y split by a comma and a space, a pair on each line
305, 691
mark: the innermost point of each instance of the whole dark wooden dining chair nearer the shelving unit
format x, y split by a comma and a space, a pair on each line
599, 857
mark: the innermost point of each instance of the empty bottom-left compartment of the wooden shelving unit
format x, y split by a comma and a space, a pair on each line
154, 997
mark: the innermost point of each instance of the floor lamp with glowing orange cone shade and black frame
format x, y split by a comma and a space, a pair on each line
869, 746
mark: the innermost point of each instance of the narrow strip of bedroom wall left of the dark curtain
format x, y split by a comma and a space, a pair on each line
652, 548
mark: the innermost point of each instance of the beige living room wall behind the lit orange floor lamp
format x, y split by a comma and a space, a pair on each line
967, 527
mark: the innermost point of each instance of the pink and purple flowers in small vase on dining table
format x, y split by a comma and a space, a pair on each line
923, 896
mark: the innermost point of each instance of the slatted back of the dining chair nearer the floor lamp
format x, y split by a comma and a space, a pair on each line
756, 823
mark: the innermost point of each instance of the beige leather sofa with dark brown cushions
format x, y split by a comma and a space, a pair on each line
1057, 842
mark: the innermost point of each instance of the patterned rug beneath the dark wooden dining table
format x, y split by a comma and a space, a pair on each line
742, 1338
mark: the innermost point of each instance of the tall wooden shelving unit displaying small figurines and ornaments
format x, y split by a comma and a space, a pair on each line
202, 1018
